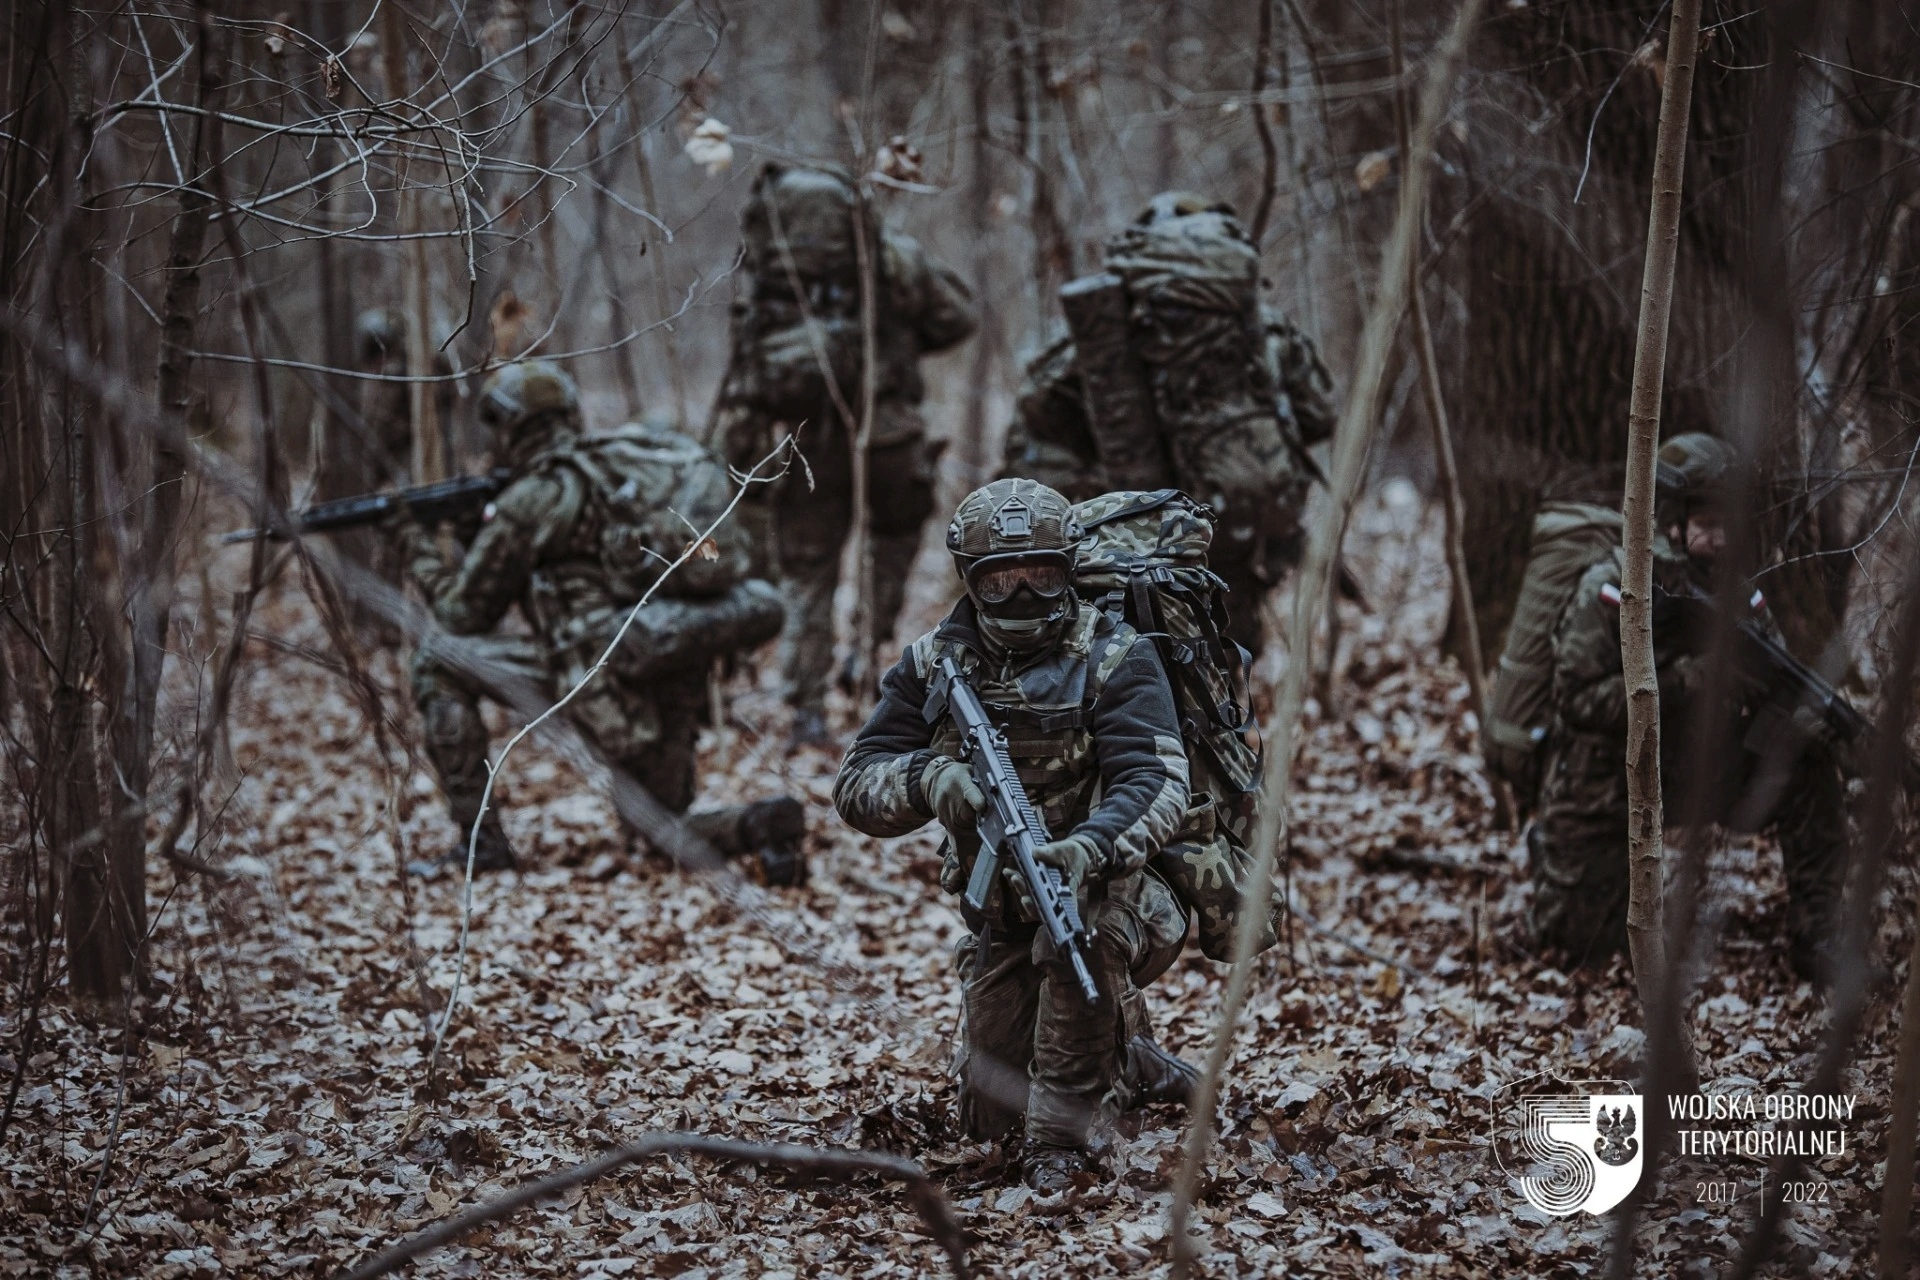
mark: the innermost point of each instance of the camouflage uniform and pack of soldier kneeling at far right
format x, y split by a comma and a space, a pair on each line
1577, 847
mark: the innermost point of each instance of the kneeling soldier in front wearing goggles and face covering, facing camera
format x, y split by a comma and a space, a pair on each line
1093, 734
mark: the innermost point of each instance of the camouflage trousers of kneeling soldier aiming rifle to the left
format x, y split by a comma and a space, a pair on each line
650, 734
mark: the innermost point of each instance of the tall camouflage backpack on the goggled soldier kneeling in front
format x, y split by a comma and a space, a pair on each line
1145, 561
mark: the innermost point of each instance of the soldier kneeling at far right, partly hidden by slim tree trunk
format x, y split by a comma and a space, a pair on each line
1577, 847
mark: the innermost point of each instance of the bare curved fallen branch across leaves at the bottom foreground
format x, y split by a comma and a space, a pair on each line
928, 1198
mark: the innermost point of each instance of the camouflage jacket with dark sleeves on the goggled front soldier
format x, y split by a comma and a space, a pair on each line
1090, 724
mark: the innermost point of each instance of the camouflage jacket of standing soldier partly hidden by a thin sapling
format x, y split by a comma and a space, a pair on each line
924, 308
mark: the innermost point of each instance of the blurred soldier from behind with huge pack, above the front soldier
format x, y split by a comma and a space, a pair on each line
1172, 373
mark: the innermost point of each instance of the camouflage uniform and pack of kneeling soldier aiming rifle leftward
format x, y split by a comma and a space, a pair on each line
573, 542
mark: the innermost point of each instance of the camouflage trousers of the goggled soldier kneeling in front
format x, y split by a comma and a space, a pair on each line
1032, 1045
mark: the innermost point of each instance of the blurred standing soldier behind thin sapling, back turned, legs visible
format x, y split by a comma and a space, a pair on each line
798, 362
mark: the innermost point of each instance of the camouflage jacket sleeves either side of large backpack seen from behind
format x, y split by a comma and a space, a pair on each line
1051, 440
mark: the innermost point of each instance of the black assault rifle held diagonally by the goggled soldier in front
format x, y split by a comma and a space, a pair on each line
1011, 826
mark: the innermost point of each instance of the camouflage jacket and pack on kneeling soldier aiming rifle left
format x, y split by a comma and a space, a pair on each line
581, 534
